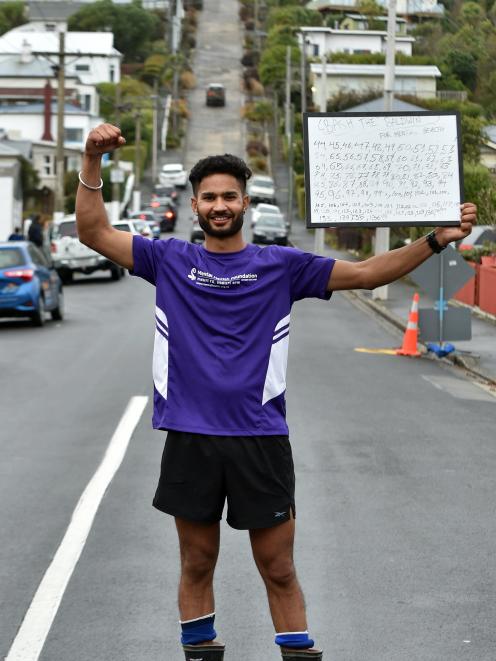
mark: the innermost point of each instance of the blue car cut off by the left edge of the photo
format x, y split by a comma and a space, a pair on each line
29, 285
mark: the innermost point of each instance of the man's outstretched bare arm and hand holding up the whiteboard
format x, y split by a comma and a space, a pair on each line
383, 269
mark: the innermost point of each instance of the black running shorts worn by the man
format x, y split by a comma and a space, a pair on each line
254, 473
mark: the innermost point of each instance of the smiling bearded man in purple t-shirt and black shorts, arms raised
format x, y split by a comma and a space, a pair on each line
222, 325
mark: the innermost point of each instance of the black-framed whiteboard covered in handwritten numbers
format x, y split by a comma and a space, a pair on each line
382, 169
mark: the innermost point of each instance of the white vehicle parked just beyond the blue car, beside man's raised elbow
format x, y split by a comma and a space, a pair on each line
71, 256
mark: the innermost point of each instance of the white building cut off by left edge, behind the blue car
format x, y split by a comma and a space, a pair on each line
10, 190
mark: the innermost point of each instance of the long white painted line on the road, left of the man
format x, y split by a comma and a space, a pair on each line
28, 643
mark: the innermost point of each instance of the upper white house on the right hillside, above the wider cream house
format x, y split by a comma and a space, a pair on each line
321, 41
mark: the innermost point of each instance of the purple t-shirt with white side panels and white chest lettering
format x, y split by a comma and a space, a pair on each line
222, 332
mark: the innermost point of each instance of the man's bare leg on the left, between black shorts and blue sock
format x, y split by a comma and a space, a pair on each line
199, 548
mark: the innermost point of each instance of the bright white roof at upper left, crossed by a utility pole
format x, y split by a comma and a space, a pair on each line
96, 43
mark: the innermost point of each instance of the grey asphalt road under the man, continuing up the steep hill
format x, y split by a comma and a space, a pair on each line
395, 463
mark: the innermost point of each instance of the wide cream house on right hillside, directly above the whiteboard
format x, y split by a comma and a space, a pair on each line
417, 81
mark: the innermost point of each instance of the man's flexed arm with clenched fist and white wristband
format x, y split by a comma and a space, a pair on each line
93, 227
